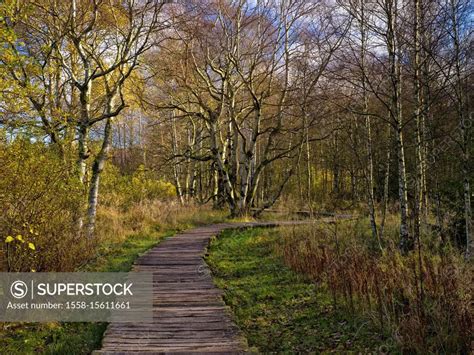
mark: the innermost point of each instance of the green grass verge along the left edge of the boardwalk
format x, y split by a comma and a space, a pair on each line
112, 256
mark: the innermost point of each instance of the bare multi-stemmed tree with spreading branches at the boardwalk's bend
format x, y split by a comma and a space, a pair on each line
236, 77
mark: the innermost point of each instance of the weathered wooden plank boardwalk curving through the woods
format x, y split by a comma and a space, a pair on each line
189, 314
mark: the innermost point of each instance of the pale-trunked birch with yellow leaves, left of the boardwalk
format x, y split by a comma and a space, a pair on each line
86, 51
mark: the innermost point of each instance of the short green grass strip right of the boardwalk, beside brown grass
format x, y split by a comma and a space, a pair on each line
277, 309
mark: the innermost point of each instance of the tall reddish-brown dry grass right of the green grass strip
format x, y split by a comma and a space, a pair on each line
424, 300
